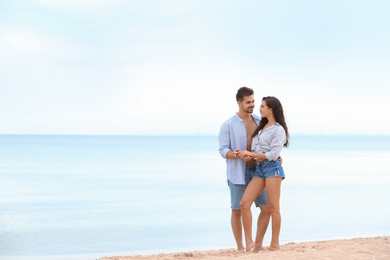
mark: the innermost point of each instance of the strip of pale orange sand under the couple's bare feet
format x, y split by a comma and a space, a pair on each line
356, 248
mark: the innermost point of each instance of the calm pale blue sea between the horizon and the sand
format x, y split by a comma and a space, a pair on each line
85, 197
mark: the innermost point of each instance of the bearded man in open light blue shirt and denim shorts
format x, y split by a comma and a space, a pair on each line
236, 133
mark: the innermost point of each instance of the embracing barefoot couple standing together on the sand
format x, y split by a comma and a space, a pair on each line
251, 146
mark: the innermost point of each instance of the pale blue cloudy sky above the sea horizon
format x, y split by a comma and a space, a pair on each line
174, 66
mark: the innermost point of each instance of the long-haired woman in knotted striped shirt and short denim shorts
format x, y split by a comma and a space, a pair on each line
268, 141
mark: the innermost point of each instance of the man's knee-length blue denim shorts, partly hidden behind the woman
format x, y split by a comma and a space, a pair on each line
237, 190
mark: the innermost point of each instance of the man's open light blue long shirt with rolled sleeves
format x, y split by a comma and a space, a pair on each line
232, 136
